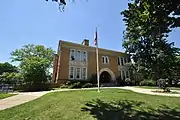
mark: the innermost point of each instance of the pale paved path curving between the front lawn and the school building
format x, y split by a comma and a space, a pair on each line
29, 96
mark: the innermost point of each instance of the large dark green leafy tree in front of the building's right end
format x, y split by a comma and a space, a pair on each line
145, 38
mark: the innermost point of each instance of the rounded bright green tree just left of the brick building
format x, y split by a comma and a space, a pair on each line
35, 62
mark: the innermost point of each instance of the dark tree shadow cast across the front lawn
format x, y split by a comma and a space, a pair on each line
129, 110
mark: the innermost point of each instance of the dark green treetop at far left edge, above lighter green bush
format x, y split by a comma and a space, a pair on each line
6, 67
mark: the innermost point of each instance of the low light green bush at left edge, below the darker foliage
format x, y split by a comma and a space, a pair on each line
11, 78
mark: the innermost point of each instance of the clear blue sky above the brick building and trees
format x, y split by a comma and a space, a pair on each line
41, 23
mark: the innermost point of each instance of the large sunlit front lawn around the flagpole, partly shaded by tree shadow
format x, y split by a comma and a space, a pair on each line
109, 104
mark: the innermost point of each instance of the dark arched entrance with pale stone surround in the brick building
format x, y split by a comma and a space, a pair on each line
106, 75
